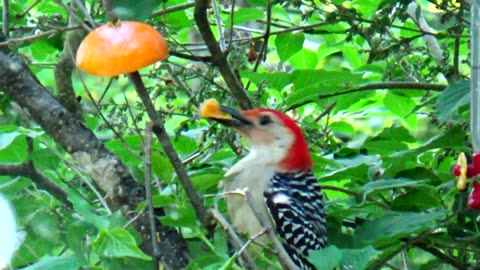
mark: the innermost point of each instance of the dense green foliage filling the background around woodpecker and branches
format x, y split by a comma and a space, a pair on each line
381, 89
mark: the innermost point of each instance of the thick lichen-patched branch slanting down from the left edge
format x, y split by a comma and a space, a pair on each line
108, 172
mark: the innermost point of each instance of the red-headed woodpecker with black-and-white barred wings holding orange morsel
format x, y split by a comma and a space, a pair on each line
277, 171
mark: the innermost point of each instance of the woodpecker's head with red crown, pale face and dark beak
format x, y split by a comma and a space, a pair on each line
271, 132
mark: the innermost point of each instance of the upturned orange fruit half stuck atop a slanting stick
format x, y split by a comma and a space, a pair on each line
111, 50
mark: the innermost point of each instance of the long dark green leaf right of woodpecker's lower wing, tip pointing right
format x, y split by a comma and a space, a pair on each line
395, 225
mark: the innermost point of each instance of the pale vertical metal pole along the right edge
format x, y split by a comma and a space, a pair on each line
475, 80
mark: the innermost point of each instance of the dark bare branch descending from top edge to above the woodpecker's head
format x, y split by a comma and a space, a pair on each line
219, 58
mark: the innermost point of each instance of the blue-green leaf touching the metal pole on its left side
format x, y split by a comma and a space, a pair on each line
453, 97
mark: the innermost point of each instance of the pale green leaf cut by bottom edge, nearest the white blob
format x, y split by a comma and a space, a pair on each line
63, 262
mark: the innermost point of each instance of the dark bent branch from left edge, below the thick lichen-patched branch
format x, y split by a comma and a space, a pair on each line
28, 170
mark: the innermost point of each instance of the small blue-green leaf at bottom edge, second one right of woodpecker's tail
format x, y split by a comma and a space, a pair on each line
358, 259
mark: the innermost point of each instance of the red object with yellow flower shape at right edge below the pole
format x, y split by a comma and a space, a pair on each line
463, 170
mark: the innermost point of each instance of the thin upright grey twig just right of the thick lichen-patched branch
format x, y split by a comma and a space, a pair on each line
148, 190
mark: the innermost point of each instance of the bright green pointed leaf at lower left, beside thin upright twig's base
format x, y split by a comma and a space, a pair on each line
117, 243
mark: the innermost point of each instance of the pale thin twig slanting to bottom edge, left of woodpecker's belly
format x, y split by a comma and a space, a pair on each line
246, 259
